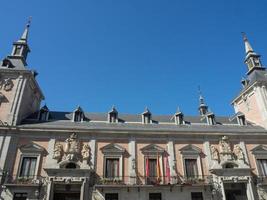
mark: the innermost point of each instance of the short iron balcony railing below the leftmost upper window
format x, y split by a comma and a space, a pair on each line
23, 180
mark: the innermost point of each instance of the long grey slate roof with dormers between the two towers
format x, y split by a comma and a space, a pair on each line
132, 122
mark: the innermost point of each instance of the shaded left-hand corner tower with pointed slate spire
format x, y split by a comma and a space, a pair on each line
19, 91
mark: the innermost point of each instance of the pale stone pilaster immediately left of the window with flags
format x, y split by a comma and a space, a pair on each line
132, 161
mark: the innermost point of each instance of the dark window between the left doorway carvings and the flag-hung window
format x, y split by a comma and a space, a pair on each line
112, 168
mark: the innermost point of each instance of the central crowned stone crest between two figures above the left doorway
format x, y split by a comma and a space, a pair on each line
71, 148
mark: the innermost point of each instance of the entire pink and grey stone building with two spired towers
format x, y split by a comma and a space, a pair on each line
75, 155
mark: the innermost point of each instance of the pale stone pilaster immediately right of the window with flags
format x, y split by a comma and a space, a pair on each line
172, 161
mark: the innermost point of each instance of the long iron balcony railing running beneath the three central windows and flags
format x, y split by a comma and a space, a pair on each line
151, 180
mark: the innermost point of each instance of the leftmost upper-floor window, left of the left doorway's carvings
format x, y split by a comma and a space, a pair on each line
28, 167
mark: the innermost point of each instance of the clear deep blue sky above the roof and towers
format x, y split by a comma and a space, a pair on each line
137, 53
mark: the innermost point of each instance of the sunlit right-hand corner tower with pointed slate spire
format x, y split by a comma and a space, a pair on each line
252, 99
